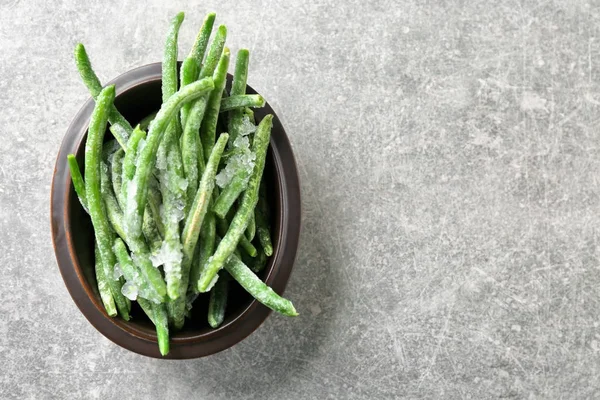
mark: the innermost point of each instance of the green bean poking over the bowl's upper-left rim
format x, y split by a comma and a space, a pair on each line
120, 128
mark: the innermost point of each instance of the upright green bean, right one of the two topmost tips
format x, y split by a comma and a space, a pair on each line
191, 69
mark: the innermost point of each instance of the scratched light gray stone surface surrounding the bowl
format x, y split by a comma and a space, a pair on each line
450, 165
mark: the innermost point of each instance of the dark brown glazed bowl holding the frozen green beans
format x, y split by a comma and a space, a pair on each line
138, 94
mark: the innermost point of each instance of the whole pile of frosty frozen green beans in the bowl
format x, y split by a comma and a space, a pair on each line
178, 206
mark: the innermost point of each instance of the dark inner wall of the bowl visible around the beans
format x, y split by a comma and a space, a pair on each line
135, 103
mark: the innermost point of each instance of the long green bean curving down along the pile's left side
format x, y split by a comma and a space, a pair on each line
93, 153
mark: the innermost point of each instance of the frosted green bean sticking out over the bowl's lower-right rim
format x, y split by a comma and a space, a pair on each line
257, 288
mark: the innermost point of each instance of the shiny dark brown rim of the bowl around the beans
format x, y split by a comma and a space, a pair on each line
121, 332
